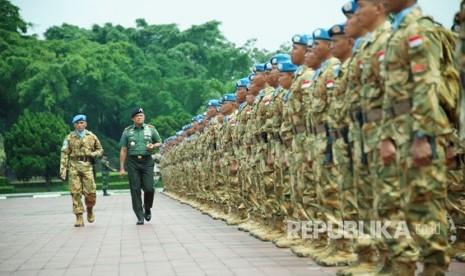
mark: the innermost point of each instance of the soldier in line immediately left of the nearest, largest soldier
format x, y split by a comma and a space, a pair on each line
374, 178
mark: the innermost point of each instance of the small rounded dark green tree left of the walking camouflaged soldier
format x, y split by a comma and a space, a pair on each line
33, 144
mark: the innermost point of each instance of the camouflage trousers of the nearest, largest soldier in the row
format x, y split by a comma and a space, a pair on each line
423, 201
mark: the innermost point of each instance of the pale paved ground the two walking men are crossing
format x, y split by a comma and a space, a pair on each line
37, 237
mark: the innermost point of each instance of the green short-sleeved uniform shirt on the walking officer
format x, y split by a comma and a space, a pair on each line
136, 139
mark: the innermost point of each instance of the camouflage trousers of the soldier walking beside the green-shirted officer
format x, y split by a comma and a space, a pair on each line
81, 182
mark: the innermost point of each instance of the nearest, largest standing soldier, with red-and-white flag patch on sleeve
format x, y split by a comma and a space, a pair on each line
413, 137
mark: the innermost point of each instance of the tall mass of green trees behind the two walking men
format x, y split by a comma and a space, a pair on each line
107, 70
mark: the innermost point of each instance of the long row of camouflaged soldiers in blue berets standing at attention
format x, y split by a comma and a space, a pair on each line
352, 126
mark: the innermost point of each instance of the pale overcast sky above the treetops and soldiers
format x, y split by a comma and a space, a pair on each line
271, 22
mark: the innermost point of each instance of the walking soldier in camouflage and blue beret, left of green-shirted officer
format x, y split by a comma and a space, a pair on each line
79, 149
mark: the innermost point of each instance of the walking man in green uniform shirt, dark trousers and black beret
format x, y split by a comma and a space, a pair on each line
139, 140
